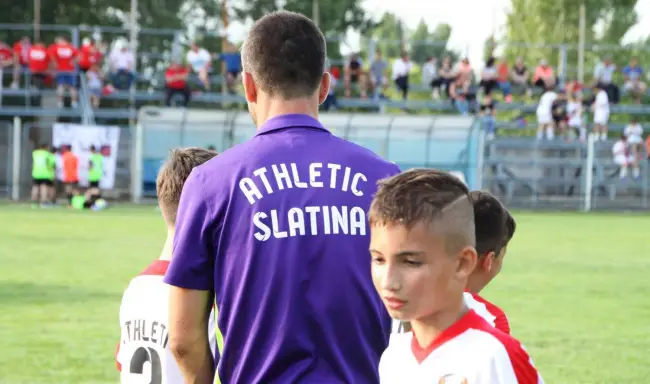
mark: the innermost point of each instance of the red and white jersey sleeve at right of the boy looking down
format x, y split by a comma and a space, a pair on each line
510, 364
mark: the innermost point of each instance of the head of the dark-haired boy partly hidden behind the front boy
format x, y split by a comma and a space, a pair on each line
494, 229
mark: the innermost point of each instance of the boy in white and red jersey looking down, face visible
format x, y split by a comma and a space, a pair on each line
422, 246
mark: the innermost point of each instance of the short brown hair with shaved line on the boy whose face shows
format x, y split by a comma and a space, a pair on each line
430, 196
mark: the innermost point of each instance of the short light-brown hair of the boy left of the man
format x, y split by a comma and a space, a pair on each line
174, 173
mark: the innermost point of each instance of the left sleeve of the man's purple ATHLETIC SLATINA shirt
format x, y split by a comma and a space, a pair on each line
192, 264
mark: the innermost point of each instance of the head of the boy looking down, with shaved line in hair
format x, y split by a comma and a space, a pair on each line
421, 243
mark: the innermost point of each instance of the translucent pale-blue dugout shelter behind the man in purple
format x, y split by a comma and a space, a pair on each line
446, 142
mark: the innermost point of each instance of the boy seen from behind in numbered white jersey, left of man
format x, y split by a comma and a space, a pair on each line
143, 354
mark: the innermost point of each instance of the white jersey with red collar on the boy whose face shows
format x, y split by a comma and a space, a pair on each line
471, 351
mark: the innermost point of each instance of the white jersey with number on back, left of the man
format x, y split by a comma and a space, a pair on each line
143, 355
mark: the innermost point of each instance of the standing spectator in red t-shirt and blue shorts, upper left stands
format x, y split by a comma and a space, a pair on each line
64, 58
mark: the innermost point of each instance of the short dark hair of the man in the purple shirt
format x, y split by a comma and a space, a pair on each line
285, 53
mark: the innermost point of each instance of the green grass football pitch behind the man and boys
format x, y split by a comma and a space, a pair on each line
574, 286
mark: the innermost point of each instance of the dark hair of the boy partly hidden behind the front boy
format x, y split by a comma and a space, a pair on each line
494, 224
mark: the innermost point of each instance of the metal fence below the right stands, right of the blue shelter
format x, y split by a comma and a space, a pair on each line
530, 174
